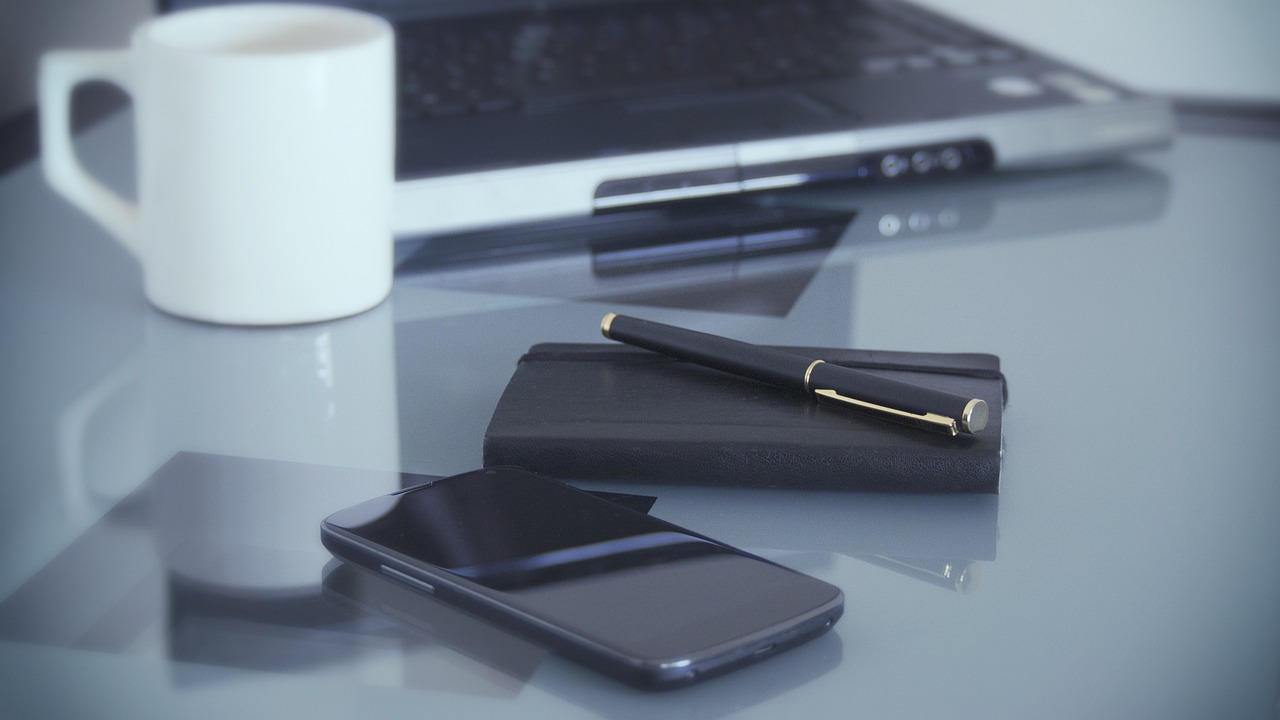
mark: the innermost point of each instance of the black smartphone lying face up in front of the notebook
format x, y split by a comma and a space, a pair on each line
634, 598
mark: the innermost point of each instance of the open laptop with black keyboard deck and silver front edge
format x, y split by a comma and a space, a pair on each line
514, 112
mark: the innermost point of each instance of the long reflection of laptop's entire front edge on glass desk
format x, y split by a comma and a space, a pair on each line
757, 254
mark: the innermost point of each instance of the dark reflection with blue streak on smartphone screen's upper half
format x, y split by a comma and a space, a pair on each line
504, 532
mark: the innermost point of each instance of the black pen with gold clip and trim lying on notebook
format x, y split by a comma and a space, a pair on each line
856, 390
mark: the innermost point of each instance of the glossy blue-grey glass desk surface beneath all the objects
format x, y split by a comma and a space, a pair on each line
1131, 566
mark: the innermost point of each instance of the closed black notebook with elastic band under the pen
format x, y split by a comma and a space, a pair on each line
616, 413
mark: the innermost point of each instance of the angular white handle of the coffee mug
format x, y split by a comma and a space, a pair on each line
61, 72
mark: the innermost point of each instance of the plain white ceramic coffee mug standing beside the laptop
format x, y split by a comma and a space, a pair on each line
266, 160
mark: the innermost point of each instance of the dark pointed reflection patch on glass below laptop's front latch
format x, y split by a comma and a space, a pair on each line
729, 256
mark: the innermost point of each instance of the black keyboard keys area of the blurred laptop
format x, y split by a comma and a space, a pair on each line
623, 53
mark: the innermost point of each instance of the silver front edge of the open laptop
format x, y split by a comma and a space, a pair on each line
1049, 138
